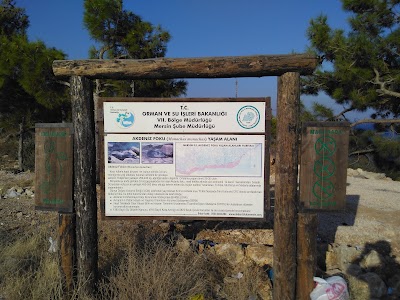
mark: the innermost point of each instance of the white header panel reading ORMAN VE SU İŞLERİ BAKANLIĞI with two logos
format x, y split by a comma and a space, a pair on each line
190, 117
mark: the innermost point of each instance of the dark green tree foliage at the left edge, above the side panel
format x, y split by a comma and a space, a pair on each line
28, 87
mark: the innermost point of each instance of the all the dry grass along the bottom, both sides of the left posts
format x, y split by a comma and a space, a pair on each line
134, 264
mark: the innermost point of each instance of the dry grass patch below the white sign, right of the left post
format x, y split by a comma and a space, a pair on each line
140, 263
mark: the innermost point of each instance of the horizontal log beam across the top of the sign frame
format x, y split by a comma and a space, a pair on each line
207, 67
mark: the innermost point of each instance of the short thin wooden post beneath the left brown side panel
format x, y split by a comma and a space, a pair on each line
66, 233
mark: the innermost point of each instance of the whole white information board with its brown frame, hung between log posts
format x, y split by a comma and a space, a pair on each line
185, 158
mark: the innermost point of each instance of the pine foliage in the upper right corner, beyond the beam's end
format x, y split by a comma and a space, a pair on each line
358, 62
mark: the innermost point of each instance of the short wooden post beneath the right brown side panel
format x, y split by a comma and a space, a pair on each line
307, 226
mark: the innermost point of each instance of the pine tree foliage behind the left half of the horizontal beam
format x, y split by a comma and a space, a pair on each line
122, 34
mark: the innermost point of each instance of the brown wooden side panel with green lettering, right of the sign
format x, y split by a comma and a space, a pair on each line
323, 168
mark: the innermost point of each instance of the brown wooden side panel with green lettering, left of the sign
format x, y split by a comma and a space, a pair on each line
53, 166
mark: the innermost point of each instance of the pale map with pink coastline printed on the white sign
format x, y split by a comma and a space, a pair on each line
218, 159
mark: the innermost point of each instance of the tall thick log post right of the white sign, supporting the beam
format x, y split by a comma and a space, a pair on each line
285, 212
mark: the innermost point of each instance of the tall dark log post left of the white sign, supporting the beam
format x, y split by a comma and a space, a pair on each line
85, 181
